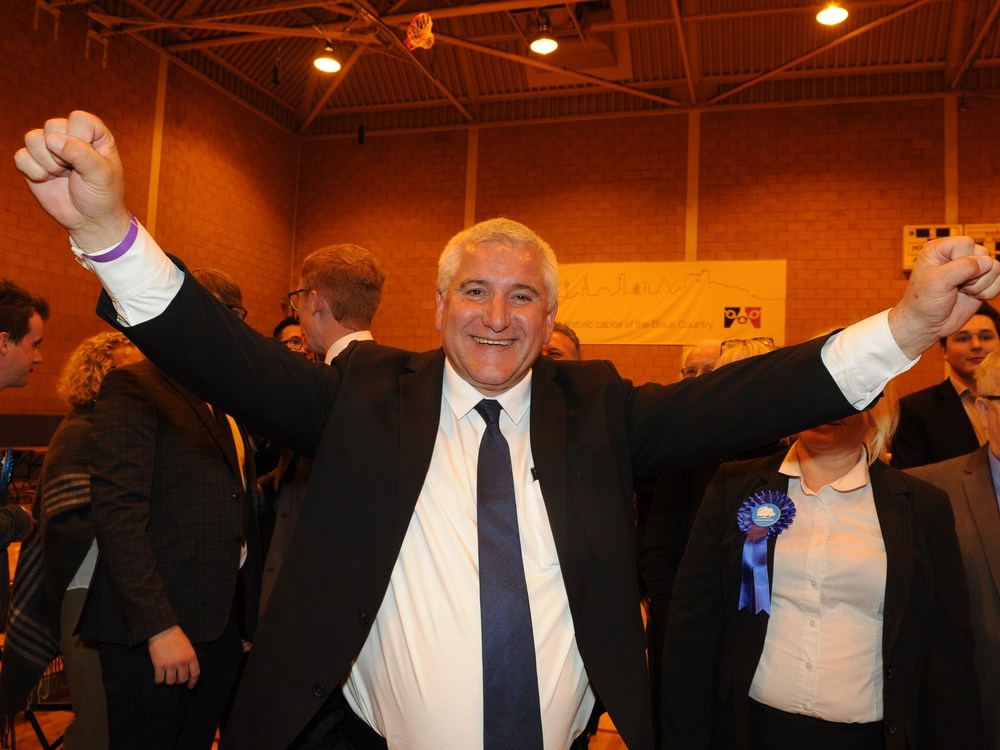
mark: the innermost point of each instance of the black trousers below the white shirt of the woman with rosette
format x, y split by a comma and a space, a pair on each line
771, 729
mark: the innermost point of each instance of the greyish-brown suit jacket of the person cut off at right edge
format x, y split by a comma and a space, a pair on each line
969, 485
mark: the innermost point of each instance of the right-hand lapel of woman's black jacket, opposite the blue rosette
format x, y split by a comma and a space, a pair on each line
895, 517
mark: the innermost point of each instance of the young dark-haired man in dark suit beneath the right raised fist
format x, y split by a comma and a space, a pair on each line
939, 422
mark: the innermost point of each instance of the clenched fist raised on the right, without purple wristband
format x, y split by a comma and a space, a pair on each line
952, 277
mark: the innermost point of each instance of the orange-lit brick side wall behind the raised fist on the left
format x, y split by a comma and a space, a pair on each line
226, 194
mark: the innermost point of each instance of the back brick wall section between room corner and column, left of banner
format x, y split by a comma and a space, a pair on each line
401, 197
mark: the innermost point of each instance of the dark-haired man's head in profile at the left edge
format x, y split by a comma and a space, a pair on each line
22, 315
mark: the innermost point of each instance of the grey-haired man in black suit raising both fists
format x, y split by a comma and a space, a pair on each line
380, 591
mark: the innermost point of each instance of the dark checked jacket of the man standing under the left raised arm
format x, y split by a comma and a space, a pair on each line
167, 507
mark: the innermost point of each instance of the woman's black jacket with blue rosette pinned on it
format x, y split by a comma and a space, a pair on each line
930, 698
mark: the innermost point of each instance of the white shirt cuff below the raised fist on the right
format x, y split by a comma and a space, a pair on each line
863, 358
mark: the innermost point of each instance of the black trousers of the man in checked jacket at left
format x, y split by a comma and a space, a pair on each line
145, 716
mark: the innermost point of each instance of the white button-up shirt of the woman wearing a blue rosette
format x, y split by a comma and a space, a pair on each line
822, 654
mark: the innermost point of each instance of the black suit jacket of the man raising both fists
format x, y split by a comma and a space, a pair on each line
371, 420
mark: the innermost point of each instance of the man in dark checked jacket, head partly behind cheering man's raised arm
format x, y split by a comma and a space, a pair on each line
174, 593
